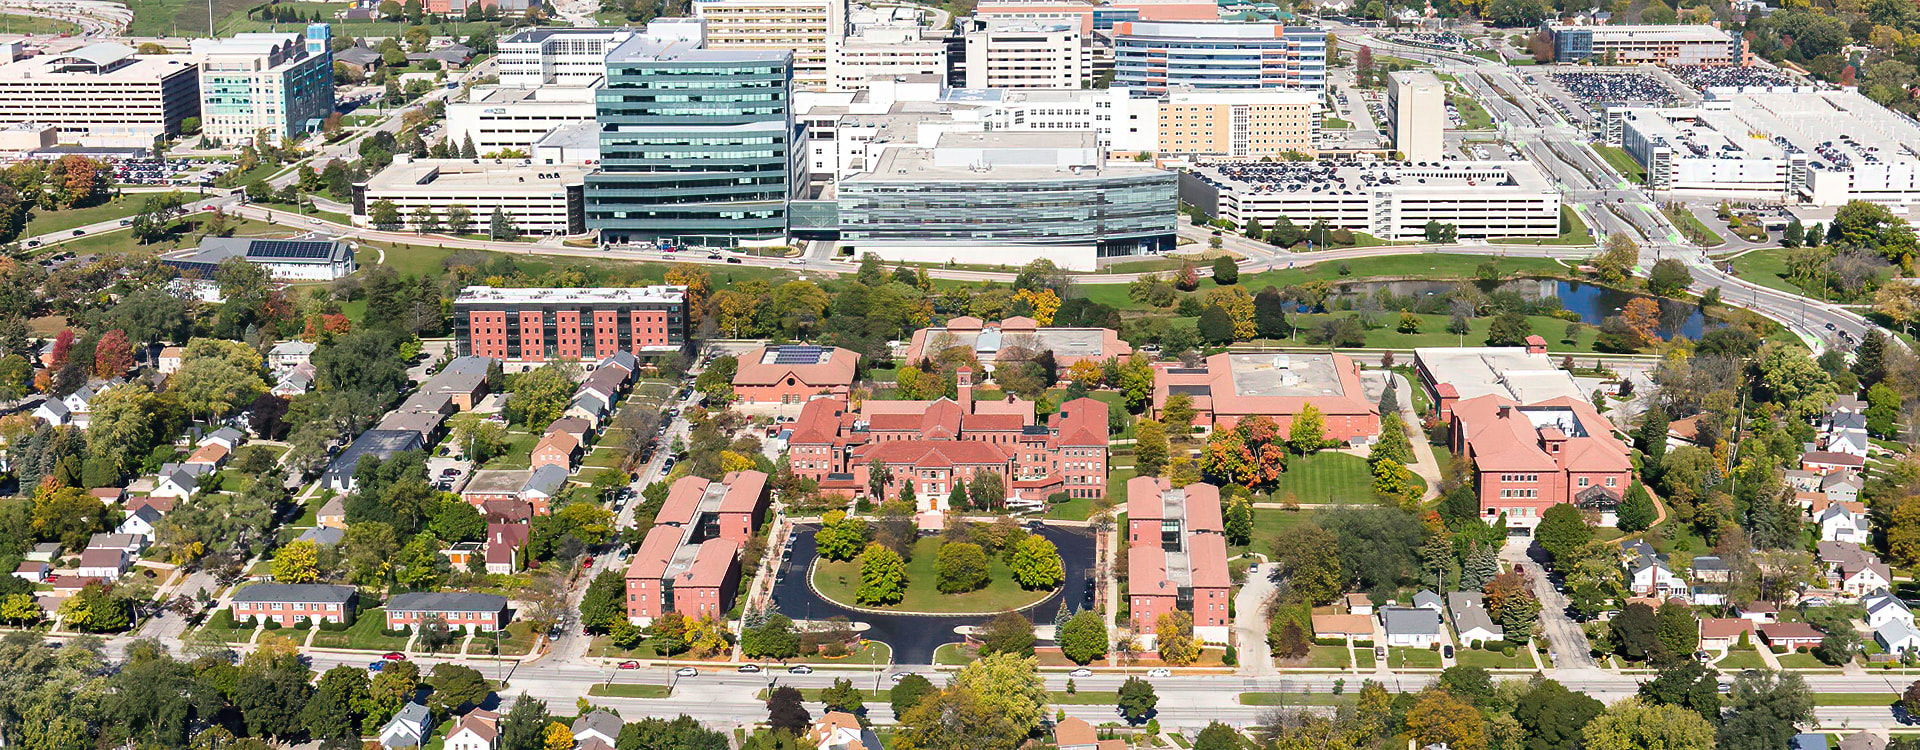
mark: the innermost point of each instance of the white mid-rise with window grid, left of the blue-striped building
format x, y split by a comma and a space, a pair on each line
1026, 55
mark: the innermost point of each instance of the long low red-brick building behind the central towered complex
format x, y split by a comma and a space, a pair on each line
1020, 339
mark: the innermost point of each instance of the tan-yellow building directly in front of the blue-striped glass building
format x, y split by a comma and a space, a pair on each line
1245, 124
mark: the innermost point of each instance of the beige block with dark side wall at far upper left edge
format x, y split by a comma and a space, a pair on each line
101, 95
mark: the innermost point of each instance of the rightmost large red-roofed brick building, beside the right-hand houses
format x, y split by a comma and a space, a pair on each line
1531, 457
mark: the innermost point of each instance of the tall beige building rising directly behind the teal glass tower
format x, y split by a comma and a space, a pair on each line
811, 30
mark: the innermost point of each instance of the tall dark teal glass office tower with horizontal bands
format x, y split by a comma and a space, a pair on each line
698, 147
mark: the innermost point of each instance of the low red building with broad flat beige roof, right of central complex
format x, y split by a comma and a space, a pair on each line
1230, 388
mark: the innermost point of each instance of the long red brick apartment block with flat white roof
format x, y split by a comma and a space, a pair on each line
569, 323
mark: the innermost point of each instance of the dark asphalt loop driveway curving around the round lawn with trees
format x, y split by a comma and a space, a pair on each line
915, 638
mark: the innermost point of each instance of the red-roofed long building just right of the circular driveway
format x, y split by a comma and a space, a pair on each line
1178, 557
